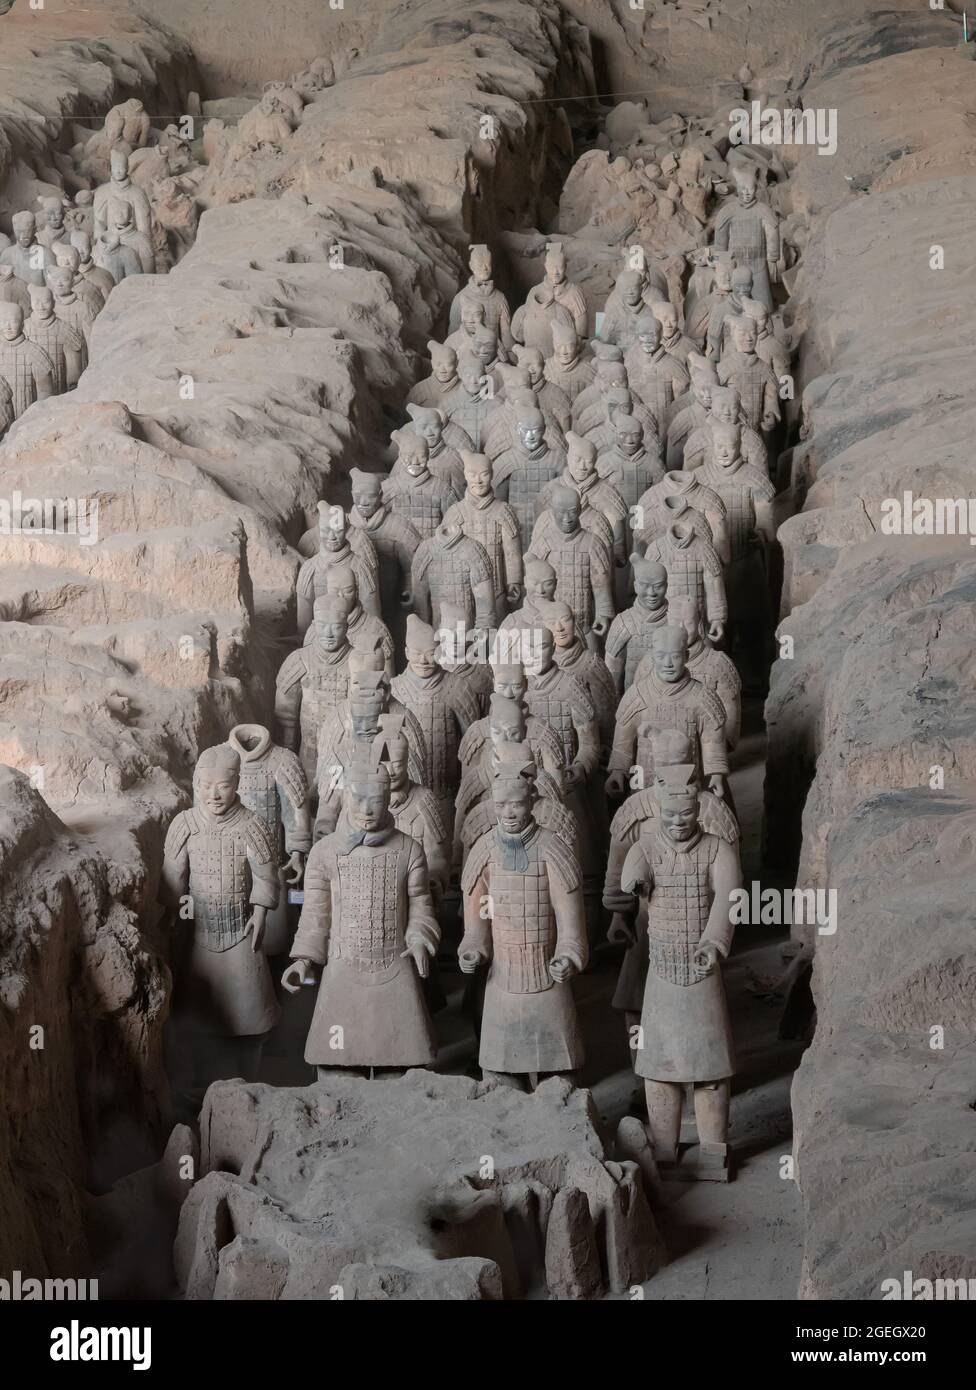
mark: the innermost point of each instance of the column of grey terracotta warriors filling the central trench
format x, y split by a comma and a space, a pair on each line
514, 697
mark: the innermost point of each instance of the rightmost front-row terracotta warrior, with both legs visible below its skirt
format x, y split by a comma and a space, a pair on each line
688, 878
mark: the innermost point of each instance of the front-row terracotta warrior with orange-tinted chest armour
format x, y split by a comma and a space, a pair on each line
525, 914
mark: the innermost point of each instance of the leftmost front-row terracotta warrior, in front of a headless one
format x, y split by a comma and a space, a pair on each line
220, 881
